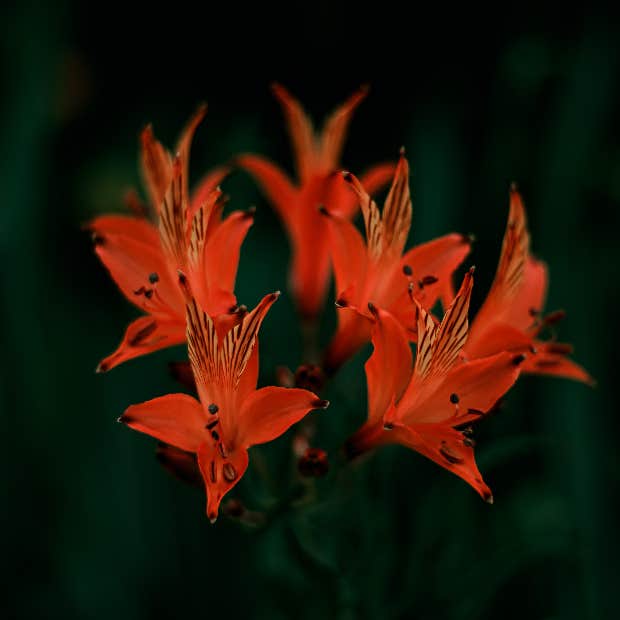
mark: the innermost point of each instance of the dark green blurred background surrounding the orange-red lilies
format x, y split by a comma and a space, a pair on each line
92, 526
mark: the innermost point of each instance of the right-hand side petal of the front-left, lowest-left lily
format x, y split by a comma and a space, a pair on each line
270, 411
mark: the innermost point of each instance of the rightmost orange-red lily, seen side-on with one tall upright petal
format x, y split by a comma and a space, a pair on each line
511, 317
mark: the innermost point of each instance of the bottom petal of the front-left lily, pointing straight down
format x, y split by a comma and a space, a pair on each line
221, 469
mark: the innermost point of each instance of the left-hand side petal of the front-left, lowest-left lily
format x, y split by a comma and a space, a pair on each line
176, 419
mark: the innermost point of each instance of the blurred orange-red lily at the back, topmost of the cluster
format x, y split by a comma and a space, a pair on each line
317, 156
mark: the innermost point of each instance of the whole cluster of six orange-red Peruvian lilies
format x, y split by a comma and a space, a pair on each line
176, 259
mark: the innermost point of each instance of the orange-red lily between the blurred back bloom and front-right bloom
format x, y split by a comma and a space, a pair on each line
377, 272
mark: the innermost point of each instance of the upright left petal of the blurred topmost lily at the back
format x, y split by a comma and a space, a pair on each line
300, 130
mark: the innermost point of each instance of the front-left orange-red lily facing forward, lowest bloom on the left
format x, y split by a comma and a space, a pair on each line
232, 415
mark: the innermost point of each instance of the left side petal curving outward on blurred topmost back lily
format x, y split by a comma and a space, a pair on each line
280, 192
